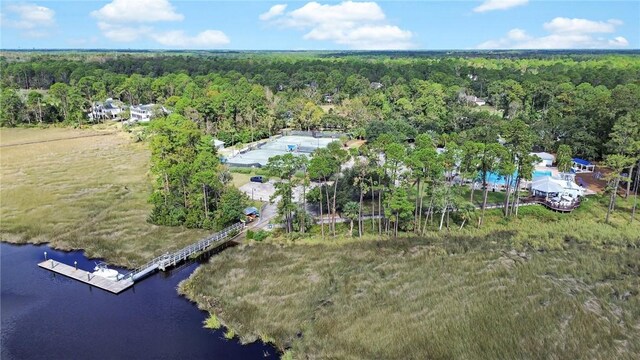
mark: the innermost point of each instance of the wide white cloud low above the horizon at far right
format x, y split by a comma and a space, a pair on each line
564, 34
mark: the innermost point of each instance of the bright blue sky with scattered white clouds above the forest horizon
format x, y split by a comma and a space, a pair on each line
320, 25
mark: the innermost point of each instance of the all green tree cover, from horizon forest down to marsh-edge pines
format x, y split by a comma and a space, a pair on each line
585, 105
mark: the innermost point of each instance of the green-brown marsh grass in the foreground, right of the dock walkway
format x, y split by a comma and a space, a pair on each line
559, 286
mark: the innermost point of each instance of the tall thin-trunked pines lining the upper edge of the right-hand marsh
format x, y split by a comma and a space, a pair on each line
394, 185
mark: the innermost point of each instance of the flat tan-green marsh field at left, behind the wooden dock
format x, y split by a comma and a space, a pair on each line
83, 189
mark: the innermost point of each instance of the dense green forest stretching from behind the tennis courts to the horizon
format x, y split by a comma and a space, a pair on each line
572, 99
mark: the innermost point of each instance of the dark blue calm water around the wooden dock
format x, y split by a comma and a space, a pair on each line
53, 317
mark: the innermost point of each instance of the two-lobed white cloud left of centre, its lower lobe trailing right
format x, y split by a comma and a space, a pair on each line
131, 20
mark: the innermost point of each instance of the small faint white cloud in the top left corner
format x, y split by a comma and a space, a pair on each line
33, 20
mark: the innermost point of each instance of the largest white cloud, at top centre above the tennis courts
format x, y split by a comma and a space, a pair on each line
357, 25
